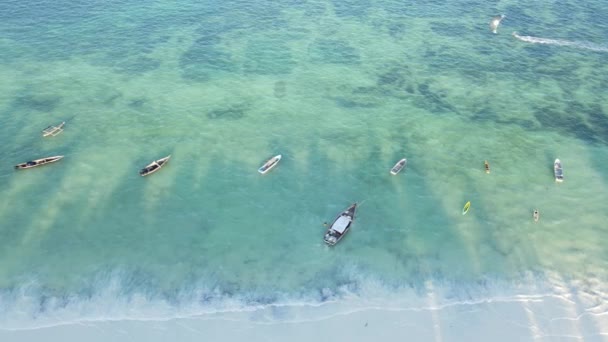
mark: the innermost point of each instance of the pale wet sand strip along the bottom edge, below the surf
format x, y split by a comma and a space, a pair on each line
528, 320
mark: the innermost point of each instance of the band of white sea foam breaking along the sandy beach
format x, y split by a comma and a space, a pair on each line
27, 309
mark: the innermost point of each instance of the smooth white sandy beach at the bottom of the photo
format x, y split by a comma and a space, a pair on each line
566, 313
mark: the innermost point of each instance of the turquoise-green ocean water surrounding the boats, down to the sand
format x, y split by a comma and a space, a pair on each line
342, 89
